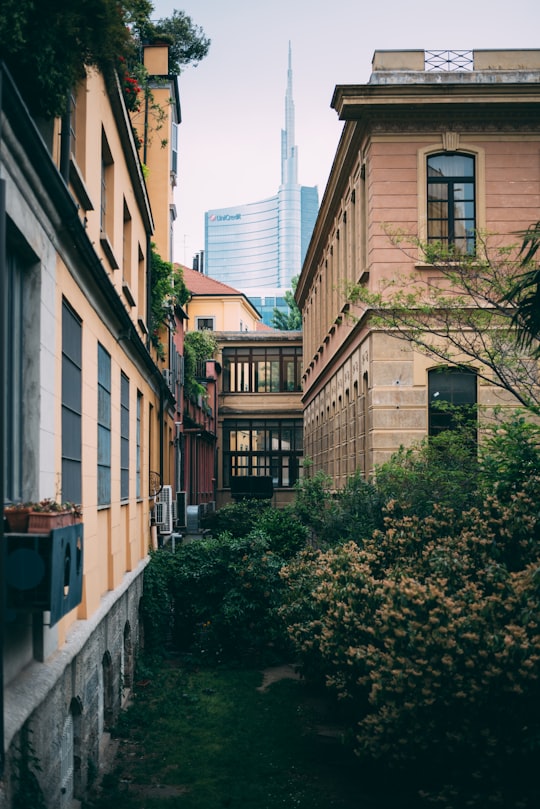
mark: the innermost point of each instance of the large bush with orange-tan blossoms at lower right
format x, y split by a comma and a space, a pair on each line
430, 631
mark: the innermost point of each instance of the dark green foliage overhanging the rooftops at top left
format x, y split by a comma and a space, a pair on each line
48, 46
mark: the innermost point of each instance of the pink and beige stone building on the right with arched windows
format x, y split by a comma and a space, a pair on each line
440, 155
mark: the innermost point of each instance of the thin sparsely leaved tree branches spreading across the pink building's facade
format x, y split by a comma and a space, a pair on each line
464, 314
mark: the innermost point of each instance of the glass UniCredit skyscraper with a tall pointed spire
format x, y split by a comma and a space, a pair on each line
260, 246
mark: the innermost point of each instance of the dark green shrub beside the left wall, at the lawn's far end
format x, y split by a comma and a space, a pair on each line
221, 598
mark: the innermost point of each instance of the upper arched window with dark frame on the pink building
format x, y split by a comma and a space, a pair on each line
451, 205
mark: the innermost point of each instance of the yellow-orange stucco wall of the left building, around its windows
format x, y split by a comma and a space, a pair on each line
117, 536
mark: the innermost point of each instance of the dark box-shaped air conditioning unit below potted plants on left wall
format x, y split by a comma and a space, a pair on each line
44, 571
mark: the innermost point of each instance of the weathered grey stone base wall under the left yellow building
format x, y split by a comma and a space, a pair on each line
61, 713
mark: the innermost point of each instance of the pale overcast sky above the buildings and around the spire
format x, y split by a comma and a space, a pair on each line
233, 102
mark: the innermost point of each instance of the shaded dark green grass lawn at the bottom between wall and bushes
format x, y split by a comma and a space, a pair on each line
200, 738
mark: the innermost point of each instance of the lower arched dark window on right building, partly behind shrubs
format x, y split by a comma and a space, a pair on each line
452, 398
